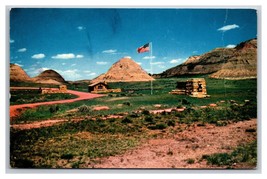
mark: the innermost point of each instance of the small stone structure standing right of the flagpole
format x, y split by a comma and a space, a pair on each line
195, 87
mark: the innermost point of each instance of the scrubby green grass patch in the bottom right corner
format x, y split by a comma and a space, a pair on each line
242, 154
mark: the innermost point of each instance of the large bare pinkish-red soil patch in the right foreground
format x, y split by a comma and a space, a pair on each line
192, 143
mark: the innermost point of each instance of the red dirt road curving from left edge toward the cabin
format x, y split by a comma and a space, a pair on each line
15, 110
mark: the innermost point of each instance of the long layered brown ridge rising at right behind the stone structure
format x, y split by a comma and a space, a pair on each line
232, 63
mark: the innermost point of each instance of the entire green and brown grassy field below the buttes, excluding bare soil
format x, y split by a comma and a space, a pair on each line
87, 137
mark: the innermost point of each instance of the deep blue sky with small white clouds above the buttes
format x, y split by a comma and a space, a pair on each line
84, 43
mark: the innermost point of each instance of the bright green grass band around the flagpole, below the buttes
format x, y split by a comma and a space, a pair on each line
138, 96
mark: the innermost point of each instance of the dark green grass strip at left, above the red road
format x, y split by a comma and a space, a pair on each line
32, 96
